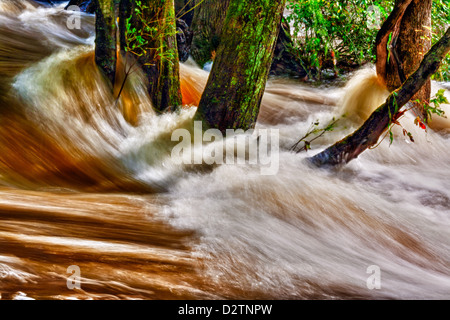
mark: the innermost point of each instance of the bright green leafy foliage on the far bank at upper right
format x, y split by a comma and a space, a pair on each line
347, 29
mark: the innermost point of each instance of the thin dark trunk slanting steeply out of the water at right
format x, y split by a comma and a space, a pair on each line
368, 134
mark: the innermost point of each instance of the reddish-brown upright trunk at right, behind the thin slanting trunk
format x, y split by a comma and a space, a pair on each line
410, 40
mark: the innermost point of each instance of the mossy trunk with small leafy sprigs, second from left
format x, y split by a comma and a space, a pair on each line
154, 45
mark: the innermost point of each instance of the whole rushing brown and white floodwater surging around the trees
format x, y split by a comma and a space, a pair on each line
88, 181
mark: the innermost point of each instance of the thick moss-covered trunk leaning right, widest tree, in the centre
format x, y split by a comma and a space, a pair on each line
232, 96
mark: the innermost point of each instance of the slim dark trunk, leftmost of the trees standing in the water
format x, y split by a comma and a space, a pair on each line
106, 37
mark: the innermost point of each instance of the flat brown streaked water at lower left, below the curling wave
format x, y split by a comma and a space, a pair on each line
122, 251
